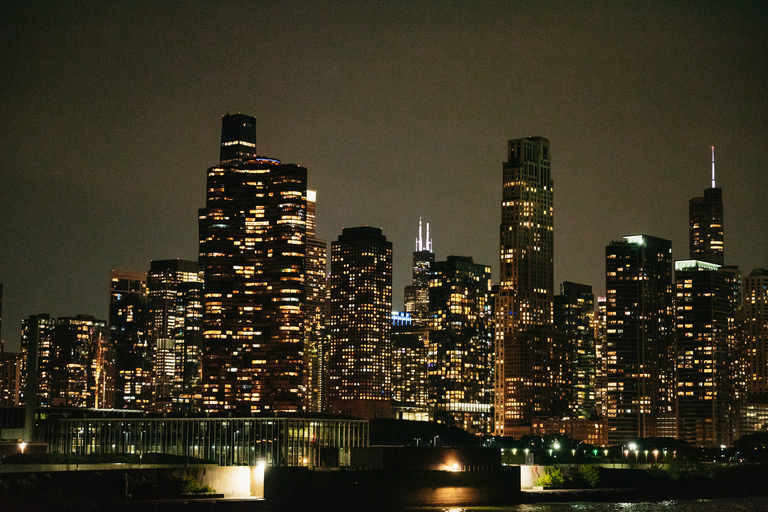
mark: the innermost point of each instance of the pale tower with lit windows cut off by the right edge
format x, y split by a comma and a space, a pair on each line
754, 414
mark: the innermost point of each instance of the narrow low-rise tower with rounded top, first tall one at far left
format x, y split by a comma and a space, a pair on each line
37, 352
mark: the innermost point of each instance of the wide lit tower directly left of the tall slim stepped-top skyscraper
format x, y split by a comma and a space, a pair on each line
461, 327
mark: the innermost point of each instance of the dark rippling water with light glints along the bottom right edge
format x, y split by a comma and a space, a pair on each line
704, 505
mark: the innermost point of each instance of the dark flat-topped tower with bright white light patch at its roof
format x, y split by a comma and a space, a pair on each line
640, 345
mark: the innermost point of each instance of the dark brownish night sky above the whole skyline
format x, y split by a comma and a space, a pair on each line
110, 116
